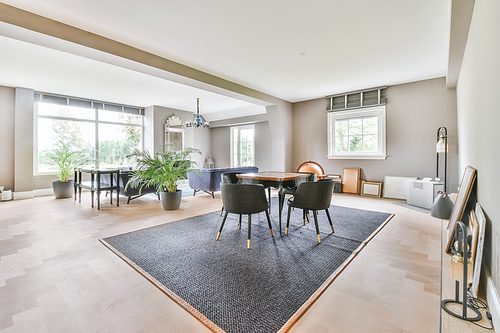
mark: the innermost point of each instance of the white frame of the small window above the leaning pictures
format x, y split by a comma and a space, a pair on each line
379, 111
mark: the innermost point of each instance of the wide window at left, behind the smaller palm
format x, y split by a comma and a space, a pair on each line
105, 135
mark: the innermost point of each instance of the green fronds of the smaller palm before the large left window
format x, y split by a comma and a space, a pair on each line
66, 160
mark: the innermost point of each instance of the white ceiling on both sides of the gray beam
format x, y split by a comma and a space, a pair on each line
292, 49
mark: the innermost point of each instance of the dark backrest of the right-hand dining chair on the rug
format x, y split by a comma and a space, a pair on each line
314, 195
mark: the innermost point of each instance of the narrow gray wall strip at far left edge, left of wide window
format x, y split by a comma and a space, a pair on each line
7, 115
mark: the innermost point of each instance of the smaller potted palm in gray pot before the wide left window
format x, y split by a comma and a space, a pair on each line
65, 161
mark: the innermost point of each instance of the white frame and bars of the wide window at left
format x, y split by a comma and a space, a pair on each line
94, 121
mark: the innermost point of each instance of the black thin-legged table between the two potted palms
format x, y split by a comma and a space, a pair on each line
97, 184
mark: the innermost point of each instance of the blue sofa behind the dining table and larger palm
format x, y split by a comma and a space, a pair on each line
208, 180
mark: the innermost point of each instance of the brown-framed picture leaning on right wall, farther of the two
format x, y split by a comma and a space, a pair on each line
457, 213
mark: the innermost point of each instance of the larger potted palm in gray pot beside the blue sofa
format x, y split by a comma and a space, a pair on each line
162, 170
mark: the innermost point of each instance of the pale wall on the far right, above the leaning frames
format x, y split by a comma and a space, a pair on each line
479, 119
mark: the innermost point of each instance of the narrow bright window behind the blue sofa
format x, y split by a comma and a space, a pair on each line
243, 145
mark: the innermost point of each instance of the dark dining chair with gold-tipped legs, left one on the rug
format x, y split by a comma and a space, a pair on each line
245, 199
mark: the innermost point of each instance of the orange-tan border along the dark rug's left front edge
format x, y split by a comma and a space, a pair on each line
181, 302
